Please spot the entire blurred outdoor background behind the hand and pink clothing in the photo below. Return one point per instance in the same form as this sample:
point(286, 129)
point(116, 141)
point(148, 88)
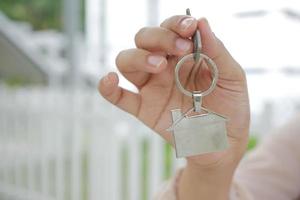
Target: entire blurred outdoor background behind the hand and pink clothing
point(60, 140)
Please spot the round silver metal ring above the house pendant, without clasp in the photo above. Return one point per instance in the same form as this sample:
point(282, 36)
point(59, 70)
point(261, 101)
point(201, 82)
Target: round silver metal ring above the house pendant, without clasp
point(210, 63)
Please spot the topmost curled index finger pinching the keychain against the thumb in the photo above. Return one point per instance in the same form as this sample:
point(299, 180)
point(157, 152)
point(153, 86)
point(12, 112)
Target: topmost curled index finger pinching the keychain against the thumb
point(183, 25)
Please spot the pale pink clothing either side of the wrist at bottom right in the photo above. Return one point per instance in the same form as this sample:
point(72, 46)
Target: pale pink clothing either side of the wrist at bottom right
point(272, 171)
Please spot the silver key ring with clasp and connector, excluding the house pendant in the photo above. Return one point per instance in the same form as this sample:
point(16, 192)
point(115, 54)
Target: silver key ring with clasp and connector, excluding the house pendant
point(197, 55)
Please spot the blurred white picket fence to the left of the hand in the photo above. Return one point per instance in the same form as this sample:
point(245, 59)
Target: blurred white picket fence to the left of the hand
point(59, 145)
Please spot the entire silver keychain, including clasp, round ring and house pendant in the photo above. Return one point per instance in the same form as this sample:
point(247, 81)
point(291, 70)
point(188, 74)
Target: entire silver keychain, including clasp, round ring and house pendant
point(204, 132)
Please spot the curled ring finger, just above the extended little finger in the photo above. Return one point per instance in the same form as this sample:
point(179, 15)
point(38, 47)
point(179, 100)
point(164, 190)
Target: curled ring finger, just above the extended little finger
point(136, 64)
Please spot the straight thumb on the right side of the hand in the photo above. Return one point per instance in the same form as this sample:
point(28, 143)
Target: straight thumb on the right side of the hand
point(215, 49)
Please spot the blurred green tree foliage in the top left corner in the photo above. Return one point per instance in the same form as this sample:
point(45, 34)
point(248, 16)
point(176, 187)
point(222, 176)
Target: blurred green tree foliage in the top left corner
point(42, 14)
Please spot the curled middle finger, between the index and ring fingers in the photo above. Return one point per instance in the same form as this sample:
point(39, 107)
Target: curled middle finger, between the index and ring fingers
point(162, 39)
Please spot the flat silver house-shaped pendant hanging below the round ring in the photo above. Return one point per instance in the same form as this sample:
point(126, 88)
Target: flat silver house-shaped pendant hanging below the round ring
point(199, 134)
